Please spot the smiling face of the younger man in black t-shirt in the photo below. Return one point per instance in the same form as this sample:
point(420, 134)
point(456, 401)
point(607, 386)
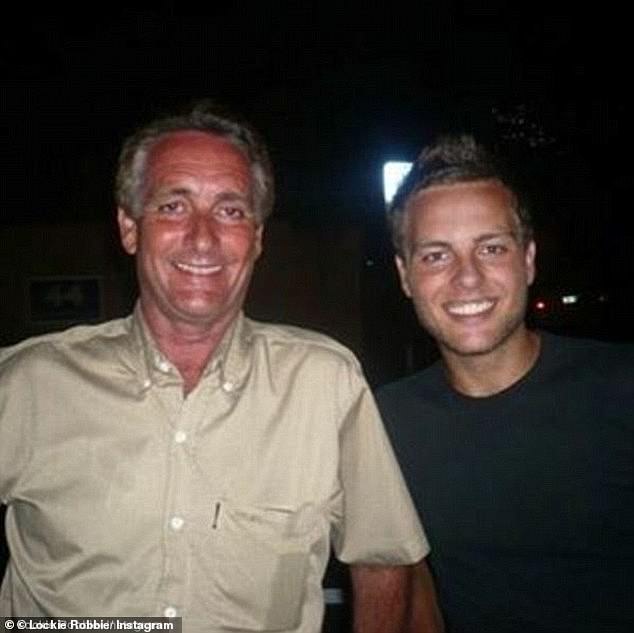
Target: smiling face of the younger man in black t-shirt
point(465, 267)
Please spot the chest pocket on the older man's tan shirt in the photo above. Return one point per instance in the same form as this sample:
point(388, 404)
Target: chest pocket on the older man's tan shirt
point(262, 566)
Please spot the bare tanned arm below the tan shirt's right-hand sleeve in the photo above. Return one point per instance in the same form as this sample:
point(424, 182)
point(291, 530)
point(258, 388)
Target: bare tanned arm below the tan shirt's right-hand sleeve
point(394, 599)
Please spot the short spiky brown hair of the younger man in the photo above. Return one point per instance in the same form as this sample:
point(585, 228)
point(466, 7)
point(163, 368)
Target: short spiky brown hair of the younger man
point(452, 160)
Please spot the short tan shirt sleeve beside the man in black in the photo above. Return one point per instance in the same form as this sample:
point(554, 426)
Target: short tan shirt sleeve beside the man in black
point(379, 524)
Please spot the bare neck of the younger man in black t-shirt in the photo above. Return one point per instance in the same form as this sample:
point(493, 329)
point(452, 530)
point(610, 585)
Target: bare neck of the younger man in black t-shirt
point(484, 375)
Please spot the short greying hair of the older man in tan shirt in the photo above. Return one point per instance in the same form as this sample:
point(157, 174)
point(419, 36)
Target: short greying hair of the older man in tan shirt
point(204, 116)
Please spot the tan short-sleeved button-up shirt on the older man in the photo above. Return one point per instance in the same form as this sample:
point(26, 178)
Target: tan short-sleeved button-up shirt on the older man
point(126, 498)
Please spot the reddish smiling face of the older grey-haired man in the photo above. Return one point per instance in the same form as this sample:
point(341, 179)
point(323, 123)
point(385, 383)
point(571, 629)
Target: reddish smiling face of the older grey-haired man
point(198, 237)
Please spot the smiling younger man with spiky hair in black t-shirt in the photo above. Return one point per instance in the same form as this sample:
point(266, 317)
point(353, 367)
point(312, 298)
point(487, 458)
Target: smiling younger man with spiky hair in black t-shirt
point(518, 445)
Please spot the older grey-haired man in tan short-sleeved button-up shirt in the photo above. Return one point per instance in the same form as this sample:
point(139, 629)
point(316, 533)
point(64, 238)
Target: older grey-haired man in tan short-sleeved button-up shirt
point(187, 461)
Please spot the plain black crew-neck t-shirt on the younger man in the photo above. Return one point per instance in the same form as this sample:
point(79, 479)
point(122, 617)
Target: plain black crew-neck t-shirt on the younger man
point(527, 496)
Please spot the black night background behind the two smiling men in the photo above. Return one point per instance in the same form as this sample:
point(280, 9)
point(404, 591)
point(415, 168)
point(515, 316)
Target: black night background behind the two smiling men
point(336, 92)
